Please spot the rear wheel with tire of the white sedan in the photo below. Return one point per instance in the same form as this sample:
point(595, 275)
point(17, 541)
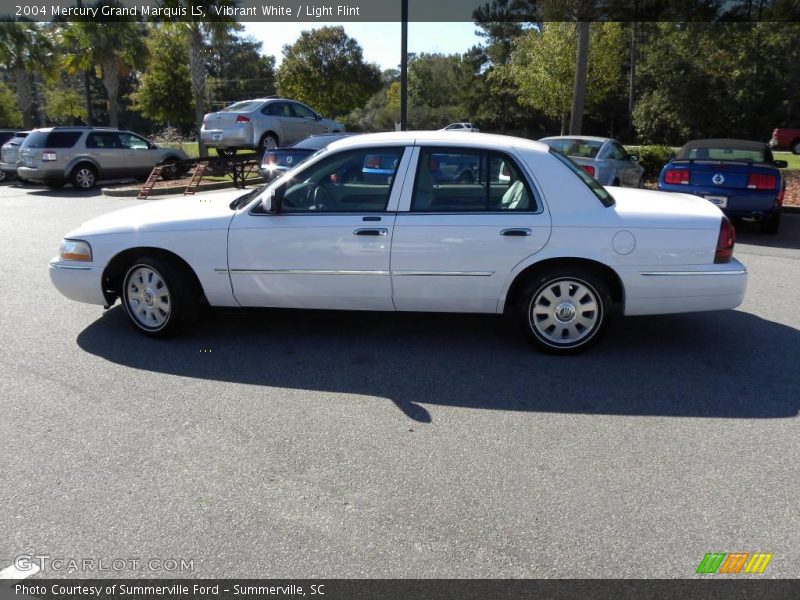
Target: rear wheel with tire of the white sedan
point(565, 311)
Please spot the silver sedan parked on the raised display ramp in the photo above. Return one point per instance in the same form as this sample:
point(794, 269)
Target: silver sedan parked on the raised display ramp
point(263, 124)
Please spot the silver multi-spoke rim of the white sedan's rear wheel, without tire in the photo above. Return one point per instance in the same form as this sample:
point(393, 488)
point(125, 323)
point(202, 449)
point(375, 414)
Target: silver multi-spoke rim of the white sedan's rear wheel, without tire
point(565, 312)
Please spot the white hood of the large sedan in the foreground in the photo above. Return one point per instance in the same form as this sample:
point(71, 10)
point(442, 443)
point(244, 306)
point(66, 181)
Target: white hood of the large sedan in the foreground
point(210, 211)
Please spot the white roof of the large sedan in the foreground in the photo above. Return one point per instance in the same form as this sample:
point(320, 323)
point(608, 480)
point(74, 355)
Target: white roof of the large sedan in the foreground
point(445, 138)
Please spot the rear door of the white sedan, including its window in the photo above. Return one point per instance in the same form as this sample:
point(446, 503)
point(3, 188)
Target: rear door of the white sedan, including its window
point(455, 242)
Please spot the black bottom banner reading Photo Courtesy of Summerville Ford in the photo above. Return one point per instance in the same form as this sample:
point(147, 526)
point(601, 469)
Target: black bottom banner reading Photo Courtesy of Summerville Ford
point(400, 589)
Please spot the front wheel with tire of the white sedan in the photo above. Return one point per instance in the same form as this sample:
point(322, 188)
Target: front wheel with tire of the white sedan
point(159, 318)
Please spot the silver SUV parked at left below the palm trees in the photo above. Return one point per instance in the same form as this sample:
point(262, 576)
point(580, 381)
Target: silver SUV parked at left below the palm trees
point(83, 155)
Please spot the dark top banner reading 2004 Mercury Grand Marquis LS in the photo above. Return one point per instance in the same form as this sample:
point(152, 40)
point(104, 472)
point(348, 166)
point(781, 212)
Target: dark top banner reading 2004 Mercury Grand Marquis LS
point(322, 11)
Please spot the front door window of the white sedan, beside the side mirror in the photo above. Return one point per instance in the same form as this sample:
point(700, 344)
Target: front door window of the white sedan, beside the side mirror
point(351, 181)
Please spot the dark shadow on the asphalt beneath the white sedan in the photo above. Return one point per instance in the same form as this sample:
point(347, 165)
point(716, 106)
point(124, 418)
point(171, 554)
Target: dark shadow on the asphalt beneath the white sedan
point(727, 364)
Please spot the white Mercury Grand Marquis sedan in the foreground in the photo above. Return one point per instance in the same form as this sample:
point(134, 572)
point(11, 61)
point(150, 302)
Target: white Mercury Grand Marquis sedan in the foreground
point(380, 222)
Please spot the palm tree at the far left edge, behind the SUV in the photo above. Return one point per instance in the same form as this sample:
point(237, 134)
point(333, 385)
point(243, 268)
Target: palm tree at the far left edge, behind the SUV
point(25, 49)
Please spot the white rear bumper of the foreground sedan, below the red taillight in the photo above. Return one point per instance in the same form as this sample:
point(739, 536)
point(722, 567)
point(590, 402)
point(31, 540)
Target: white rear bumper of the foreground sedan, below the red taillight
point(694, 288)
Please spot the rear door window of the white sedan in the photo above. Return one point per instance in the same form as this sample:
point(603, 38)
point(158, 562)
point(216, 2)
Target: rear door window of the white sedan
point(469, 181)
